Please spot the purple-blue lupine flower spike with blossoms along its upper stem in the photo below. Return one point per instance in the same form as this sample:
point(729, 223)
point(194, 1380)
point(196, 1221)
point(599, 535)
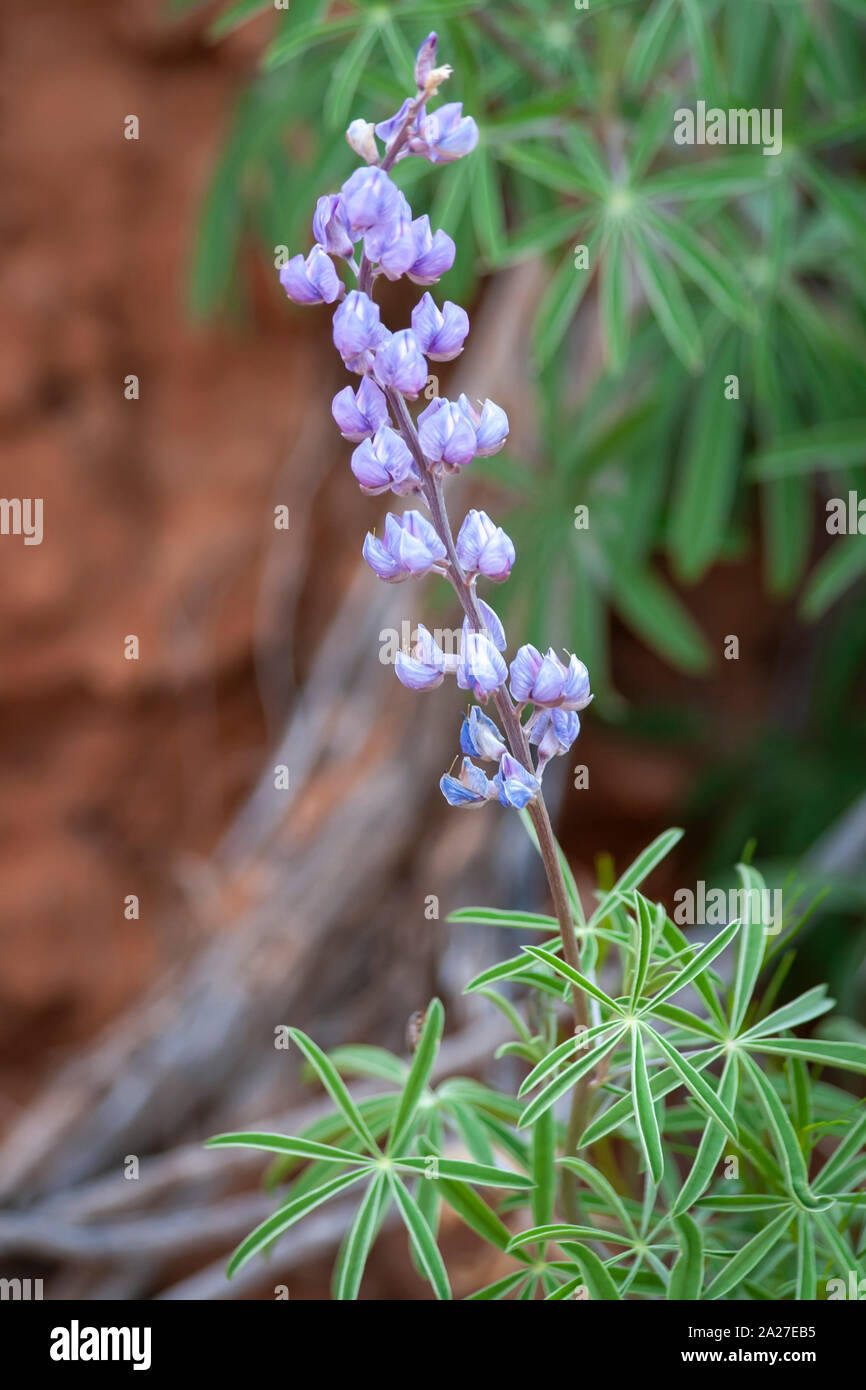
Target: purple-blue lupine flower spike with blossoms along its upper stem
point(369, 227)
